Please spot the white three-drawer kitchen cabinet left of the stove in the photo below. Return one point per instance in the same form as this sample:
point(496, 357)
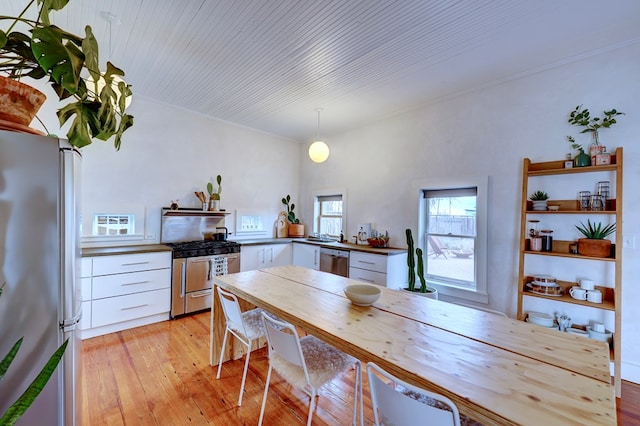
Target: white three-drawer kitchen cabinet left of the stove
point(127, 290)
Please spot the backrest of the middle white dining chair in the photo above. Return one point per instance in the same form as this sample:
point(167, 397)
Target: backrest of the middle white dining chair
point(283, 341)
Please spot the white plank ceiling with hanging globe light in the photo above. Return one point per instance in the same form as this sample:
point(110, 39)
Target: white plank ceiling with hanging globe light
point(267, 64)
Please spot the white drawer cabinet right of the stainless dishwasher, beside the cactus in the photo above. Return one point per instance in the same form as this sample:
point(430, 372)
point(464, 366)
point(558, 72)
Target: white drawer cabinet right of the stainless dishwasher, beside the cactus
point(381, 269)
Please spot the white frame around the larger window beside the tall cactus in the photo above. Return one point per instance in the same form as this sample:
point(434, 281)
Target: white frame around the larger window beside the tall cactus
point(480, 293)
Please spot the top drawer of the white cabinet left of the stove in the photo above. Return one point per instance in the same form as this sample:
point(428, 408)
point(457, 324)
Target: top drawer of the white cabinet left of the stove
point(105, 265)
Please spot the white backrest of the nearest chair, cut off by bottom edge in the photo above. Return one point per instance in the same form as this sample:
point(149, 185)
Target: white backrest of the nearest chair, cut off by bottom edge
point(392, 404)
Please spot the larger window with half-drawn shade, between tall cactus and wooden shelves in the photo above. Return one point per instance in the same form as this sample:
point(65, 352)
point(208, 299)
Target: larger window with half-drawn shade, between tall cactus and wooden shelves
point(452, 234)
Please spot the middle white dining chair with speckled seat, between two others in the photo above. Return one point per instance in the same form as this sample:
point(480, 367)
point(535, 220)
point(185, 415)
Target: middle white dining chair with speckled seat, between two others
point(306, 363)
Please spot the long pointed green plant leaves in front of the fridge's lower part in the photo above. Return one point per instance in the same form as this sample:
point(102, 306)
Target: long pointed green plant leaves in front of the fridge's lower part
point(18, 408)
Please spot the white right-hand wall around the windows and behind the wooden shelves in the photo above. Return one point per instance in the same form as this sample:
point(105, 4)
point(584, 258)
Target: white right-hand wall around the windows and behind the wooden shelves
point(489, 132)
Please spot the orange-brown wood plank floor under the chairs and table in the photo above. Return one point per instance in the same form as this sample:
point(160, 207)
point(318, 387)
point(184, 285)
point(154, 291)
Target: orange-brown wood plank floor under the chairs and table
point(160, 375)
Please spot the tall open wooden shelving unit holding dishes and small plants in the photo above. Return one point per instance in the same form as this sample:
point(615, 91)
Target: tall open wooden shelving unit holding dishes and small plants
point(611, 291)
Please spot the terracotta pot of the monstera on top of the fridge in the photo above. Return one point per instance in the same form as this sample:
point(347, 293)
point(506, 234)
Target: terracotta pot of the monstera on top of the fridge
point(19, 102)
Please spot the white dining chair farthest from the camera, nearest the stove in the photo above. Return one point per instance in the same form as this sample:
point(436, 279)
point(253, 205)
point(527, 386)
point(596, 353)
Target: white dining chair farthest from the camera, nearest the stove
point(246, 326)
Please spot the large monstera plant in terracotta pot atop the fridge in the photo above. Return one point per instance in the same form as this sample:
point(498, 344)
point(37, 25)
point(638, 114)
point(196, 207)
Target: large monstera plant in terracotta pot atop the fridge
point(94, 99)
